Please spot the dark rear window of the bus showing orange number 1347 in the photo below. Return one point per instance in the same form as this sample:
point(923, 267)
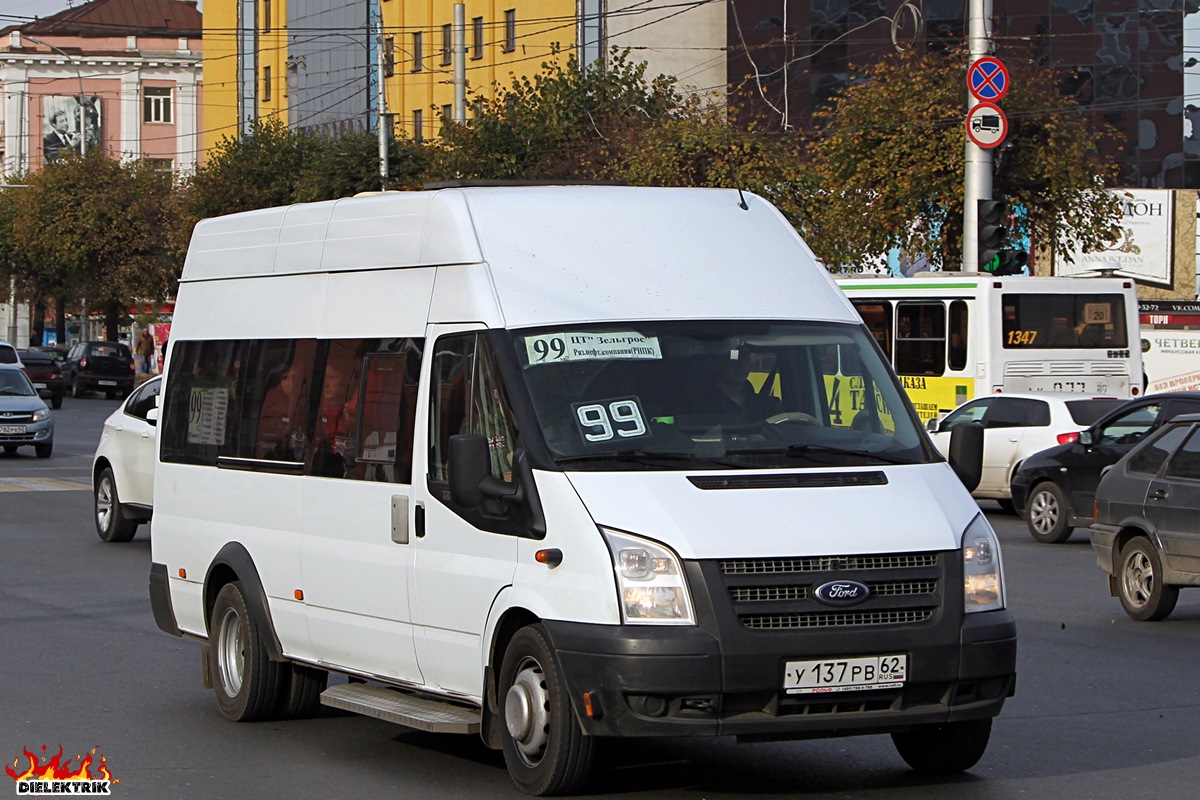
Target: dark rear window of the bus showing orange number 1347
point(1042, 322)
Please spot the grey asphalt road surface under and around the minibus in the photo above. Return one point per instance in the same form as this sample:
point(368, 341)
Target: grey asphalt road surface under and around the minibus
point(1105, 707)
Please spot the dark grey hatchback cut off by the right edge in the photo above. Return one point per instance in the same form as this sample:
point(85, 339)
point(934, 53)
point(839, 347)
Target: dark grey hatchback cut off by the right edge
point(1147, 534)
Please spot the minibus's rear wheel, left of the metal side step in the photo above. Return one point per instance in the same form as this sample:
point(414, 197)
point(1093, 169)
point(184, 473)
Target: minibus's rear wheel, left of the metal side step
point(245, 681)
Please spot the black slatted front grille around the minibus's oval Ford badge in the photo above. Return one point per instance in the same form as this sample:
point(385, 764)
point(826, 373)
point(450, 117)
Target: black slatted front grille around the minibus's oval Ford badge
point(779, 594)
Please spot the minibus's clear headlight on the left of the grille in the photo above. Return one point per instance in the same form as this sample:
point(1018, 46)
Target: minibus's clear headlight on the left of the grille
point(650, 582)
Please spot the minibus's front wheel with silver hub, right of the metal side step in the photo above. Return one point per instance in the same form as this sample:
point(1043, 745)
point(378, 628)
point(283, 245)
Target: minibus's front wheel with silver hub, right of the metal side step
point(544, 747)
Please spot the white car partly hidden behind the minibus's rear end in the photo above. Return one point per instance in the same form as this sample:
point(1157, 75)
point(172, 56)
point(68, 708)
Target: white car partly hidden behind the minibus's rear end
point(123, 468)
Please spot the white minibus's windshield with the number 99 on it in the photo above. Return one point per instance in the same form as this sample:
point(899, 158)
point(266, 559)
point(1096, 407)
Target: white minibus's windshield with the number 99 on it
point(717, 395)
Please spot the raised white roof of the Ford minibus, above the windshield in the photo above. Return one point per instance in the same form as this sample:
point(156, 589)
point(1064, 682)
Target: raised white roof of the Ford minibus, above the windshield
point(554, 252)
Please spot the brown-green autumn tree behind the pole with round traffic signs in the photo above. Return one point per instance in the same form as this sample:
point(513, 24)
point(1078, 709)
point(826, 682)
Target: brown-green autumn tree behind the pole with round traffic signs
point(890, 161)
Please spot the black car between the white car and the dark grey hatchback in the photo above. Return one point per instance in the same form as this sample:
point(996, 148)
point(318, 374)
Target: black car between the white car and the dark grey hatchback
point(1055, 488)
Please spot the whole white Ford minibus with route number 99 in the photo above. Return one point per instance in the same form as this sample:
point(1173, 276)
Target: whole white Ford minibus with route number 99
point(549, 465)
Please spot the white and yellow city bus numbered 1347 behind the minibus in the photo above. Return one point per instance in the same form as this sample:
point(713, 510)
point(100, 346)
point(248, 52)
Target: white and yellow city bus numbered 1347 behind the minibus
point(955, 336)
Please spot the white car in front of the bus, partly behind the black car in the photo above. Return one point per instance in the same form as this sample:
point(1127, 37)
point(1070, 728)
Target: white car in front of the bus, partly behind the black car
point(1016, 426)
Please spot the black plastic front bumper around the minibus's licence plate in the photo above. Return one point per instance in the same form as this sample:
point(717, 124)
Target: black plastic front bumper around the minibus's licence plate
point(719, 678)
